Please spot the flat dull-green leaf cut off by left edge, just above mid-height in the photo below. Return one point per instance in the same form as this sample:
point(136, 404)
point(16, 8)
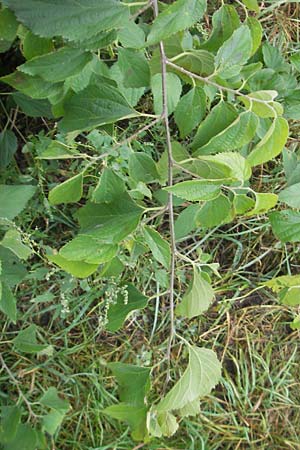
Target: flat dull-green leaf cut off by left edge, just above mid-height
point(13, 199)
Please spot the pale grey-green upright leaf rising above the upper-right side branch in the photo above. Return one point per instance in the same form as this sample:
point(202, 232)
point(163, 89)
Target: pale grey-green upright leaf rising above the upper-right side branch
point(234, 53)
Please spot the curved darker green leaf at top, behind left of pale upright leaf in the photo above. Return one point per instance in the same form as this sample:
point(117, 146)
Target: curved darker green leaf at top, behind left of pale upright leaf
point(224, 22)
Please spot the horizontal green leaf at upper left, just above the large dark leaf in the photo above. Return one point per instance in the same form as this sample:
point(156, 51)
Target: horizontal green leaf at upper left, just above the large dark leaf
point(57, 66)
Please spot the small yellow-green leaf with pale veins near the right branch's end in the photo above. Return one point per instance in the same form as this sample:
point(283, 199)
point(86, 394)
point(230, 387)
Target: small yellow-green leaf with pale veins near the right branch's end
point(265, 106)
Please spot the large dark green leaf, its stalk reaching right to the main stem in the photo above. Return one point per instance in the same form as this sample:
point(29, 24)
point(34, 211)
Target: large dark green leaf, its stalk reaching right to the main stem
point(93, 106)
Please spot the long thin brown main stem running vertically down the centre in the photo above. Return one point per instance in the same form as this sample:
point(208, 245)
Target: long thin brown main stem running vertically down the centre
point(170, 196)
